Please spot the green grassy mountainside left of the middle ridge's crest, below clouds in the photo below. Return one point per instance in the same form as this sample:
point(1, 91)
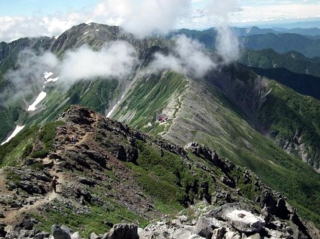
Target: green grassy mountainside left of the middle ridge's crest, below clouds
point(148, 98)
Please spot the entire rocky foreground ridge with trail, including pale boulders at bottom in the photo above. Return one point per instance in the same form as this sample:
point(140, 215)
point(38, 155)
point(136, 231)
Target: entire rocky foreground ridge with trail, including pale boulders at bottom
point(82, 175)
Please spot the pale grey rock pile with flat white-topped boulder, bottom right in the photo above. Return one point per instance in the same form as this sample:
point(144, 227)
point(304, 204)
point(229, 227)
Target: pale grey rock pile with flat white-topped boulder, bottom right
point(230, 221)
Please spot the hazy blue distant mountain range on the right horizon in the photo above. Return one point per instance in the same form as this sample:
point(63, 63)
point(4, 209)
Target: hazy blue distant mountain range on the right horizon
point(304, 41)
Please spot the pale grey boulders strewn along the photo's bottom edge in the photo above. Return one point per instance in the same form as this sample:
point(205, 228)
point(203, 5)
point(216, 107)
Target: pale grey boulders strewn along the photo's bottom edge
point(230, 221)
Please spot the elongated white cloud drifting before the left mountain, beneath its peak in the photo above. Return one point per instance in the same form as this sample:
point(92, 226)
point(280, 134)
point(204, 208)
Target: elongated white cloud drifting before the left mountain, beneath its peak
point(115, 60)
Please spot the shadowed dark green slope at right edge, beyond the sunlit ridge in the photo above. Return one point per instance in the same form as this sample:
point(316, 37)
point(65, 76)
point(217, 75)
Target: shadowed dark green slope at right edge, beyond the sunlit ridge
point(293, 114)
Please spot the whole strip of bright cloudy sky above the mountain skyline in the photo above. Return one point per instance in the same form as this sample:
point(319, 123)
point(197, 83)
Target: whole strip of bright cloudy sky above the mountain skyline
point(28, 18)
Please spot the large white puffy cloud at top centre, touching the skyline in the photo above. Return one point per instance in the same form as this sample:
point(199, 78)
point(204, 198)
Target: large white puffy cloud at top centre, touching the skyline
point(143, 17)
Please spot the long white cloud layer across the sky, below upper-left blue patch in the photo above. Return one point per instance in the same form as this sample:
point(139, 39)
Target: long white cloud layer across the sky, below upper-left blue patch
point(145, 16)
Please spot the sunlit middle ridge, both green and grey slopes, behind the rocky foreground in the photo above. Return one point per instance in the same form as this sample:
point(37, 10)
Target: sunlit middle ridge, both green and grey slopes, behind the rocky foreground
point(201, 112)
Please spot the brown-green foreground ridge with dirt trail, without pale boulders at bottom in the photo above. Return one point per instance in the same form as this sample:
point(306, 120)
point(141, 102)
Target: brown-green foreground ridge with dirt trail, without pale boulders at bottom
point(83, 143)
